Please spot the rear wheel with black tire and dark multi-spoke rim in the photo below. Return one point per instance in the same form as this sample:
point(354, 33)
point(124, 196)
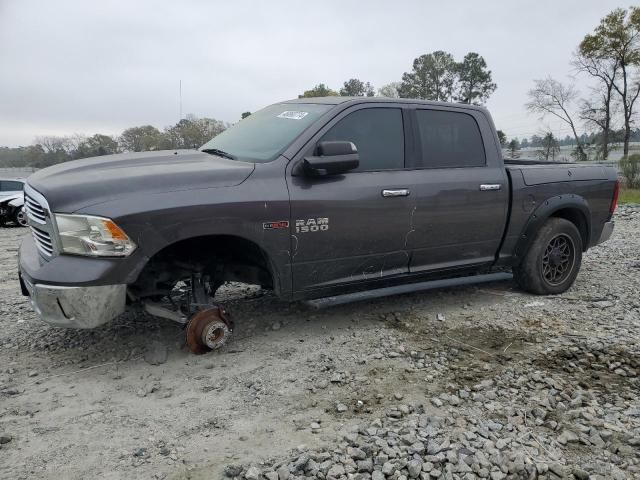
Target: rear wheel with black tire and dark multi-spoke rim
point(553, 259)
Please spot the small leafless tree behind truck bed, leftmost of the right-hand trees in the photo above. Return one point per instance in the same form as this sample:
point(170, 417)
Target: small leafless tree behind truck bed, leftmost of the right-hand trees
point(550, 97)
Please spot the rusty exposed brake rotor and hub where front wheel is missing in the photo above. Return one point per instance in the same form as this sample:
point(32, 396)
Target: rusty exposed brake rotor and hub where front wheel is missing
point(207, 330)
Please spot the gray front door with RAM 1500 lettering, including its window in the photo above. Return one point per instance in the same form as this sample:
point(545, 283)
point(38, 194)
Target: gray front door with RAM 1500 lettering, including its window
point(344, 230)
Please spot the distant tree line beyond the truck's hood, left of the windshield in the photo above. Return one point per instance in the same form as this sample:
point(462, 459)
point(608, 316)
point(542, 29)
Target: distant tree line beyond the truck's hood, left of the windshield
point(189, 132)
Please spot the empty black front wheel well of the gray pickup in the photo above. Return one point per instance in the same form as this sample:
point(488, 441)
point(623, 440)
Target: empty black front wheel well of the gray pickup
point(222, 257)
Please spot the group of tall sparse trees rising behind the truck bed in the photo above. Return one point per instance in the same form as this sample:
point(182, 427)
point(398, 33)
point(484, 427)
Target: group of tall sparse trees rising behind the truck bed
point(609, 56)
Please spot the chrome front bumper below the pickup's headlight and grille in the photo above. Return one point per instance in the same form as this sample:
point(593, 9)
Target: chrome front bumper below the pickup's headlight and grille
point(76, 307)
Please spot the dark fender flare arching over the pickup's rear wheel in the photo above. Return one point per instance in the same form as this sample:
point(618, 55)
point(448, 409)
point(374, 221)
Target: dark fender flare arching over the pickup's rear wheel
point(548, 208)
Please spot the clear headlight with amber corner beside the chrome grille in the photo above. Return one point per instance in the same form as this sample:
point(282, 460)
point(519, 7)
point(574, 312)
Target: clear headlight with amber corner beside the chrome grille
point(92, 236)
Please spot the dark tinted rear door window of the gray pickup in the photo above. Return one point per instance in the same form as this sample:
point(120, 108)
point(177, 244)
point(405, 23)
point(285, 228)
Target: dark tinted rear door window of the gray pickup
point(449, 140)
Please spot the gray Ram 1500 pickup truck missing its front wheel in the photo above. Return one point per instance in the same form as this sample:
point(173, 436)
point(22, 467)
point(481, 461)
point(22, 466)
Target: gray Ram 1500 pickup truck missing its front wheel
point(314, 198)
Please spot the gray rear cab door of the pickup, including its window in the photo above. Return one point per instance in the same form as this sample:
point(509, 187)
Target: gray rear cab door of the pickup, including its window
point(459, 187)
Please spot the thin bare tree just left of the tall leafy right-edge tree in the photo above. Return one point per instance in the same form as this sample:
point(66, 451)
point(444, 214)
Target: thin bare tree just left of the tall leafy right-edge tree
point(599, 111)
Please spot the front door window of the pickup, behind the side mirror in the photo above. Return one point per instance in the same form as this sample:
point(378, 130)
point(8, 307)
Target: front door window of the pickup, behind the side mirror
point(378, 134)
